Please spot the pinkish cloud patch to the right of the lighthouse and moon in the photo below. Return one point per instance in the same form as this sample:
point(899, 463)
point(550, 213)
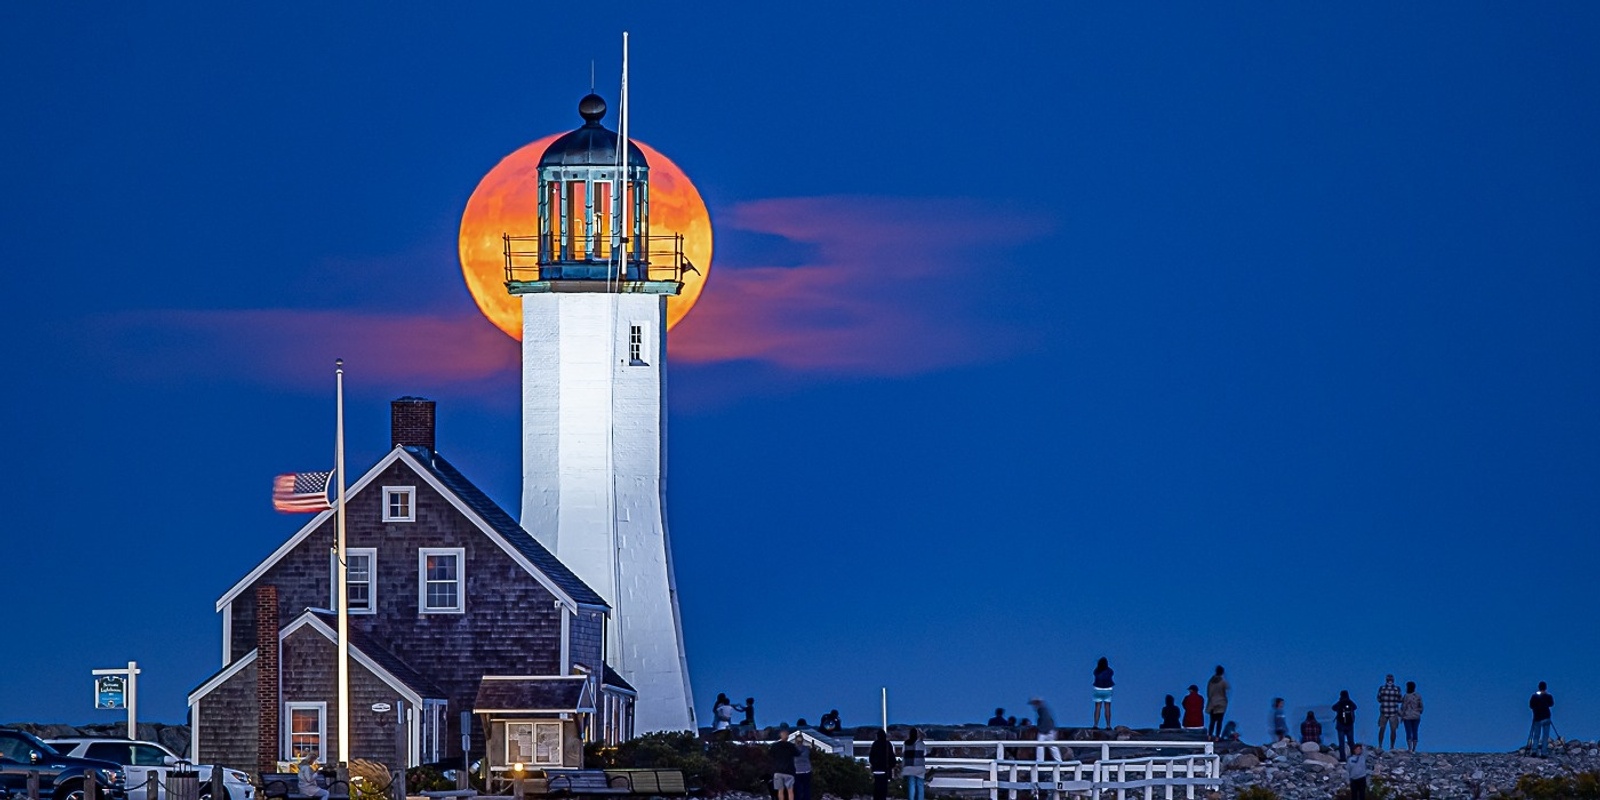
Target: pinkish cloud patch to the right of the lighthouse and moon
point(897, 287)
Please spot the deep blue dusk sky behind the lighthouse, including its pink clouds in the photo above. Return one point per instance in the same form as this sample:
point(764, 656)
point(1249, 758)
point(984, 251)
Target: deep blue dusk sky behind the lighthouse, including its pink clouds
point(1249, 335)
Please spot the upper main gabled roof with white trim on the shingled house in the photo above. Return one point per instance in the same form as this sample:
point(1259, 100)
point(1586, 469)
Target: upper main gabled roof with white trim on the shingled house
point(494, 521)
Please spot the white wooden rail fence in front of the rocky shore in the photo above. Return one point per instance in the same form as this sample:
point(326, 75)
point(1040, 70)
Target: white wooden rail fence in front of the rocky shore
point(1017, 767)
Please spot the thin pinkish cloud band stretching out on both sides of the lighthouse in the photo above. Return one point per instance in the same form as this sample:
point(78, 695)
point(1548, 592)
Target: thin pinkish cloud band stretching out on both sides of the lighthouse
point(889, 287)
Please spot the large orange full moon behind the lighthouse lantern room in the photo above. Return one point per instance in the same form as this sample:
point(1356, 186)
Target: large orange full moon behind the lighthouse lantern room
point(508, 202)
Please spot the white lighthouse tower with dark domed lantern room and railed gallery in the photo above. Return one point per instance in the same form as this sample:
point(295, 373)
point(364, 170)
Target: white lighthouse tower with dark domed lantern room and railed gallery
point(594, 289)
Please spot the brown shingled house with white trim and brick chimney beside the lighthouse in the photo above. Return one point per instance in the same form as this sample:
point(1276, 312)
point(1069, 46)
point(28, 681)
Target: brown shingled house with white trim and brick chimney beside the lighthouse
point(452, 609)
